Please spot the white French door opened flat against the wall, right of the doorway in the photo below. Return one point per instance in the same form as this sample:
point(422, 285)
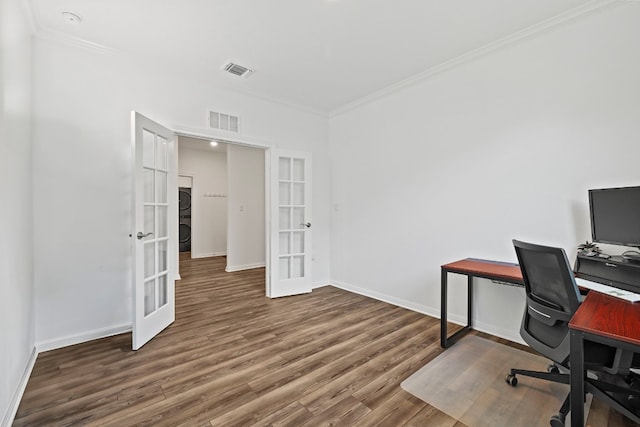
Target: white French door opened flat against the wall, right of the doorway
point(290, 243)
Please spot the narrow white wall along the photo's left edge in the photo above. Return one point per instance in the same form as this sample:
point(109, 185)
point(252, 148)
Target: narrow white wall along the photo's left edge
point(16, 237)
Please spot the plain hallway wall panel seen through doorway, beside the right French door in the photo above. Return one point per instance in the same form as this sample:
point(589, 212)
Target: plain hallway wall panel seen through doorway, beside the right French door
point(246, 235)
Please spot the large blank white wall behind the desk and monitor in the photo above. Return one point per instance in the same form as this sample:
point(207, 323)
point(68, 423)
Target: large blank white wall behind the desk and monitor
point(499, 148)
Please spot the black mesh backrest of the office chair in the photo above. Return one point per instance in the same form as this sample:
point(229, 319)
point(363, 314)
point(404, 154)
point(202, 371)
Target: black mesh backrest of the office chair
point(552, 298)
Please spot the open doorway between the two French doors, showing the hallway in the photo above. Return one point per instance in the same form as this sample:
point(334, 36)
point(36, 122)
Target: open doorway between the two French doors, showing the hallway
point(225, 186)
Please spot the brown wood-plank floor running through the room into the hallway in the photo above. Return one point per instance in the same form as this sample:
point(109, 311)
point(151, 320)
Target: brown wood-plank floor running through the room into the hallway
point(236, 358)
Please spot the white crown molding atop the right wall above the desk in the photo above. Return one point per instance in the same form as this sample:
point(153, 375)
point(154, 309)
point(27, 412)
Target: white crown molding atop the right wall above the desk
point(469, 56)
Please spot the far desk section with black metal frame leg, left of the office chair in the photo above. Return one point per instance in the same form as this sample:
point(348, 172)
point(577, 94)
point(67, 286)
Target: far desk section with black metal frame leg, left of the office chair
point(472, 267)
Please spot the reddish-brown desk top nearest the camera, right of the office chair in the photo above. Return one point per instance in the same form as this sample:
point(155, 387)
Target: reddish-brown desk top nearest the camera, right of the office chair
point(608, 316)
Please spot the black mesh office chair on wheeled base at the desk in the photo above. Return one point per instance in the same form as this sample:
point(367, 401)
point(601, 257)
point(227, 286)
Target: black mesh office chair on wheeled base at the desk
point(552, 297)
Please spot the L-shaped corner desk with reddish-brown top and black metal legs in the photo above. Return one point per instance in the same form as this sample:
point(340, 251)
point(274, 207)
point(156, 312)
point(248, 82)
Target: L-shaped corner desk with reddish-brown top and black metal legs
point(599, 318)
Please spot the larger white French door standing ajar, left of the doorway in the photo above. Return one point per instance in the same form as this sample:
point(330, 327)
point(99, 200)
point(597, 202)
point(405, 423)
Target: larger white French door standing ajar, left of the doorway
point(154, 235)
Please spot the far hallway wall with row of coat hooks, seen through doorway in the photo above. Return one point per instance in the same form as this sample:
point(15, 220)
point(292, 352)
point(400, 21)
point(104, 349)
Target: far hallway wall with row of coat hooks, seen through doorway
point(208, 200)
